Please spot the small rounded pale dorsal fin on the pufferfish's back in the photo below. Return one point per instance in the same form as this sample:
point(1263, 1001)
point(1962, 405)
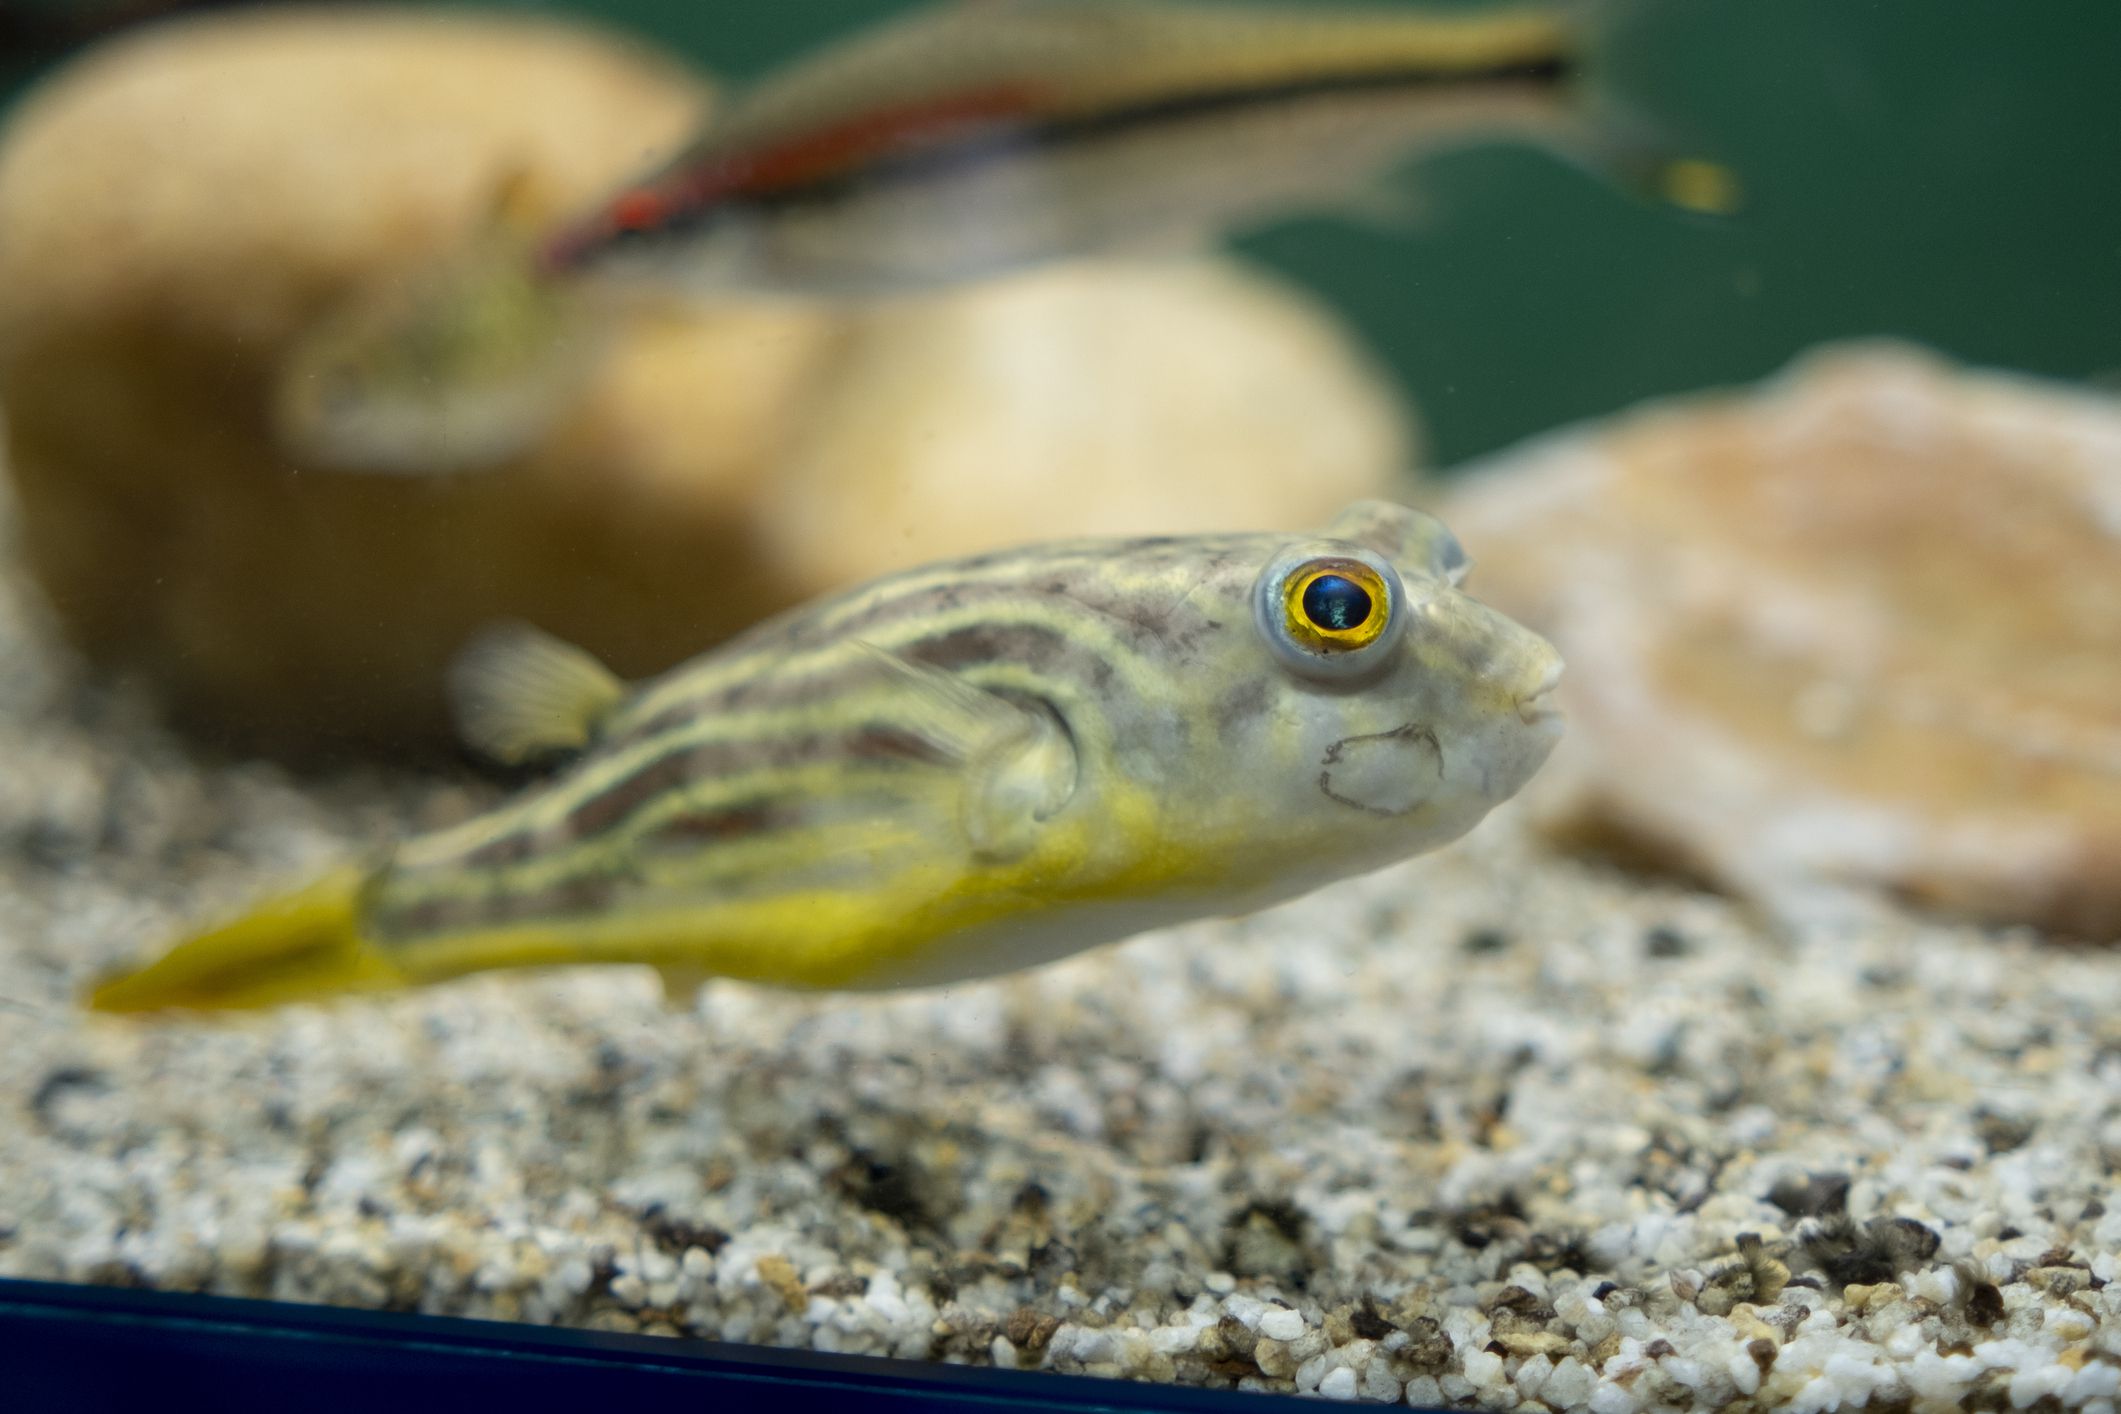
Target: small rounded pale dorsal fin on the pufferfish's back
point(521, 694)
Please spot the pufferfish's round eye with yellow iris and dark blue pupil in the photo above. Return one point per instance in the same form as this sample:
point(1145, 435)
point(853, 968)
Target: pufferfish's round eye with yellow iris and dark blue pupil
point(1331, 616)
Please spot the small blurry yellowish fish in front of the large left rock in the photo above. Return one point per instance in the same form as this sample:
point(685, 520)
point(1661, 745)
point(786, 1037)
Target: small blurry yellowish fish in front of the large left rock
point(449, 368)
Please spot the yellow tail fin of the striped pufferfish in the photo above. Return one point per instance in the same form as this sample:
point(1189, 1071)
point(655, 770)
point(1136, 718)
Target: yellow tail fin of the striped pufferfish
point(300, 947)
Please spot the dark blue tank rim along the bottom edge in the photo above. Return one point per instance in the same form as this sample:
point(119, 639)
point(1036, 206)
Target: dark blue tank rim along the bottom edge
point(77, 1347)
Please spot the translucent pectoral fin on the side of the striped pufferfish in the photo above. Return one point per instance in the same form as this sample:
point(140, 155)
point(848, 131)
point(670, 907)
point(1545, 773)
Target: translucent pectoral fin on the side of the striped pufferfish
point(1017, 764)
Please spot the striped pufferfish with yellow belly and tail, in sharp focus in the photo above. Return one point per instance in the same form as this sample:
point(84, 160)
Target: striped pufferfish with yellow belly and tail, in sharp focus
point(947, 775)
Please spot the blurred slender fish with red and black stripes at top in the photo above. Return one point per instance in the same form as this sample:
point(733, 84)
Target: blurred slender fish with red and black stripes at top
point(975, 139)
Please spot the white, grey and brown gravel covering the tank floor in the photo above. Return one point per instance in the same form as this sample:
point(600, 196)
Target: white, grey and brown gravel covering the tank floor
point(1494, 1129)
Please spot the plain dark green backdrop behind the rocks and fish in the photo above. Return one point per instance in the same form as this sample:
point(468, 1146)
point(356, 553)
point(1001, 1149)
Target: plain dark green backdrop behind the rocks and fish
point(1944, 171)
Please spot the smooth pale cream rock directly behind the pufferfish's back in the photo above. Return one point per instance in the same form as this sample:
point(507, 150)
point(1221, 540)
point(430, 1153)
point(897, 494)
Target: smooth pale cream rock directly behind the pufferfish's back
point(1085, 400)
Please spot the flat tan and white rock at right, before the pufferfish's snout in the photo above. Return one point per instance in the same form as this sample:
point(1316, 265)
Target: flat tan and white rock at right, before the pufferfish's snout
point(1853, 635)
